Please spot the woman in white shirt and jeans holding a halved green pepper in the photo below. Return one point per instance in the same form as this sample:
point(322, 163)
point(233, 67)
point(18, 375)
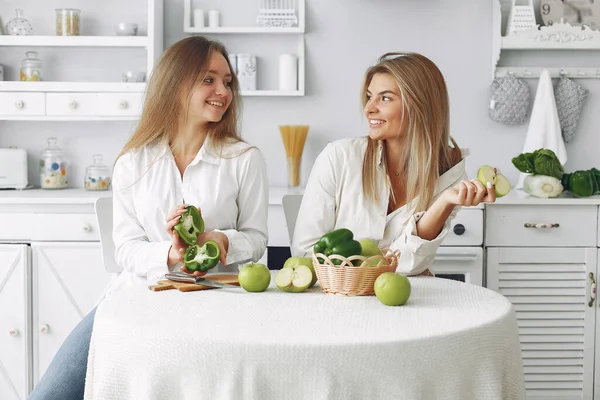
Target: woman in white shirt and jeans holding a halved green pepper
point(185, 150)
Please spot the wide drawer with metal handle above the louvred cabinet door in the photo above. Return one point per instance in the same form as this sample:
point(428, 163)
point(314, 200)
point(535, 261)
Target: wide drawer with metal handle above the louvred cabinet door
point(522, 225)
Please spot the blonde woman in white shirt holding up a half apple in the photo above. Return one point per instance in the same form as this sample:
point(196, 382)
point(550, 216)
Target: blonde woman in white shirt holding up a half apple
point(403, 183)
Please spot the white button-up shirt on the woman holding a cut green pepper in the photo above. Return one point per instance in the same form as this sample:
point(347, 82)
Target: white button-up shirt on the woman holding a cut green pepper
point(231, 192)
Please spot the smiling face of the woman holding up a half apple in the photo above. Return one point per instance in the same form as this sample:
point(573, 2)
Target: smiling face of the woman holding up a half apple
point(384, 109)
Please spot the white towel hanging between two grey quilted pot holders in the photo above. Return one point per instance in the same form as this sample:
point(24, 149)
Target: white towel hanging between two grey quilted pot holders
point(544, 127)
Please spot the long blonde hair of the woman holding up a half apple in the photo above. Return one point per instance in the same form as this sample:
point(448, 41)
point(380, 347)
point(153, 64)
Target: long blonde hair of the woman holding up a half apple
point(428, 153)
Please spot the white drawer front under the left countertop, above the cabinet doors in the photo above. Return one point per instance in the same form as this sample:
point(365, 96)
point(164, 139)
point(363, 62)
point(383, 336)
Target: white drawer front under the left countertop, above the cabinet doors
point(48, 227)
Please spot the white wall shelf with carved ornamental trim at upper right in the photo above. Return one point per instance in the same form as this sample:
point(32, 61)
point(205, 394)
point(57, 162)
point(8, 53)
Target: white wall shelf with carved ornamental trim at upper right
point(559, 36)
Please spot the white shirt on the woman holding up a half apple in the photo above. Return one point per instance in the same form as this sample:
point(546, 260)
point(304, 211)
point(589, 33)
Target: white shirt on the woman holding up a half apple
point(334, 199)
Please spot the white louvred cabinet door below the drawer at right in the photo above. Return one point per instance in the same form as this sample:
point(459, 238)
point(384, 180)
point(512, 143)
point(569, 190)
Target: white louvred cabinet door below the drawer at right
point(550, 289)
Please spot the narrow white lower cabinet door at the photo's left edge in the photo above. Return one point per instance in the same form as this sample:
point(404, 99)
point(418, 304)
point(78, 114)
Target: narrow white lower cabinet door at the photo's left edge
point(14, 317)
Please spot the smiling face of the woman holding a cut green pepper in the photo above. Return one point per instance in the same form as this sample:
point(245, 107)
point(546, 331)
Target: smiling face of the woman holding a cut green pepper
point(212, 94)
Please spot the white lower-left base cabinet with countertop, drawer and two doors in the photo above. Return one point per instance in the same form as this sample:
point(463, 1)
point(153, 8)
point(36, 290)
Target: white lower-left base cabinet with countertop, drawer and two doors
point(51, 276)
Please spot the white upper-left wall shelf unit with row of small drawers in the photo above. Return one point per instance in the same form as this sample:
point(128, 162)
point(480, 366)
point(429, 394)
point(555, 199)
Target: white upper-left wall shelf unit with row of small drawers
point(84, 100)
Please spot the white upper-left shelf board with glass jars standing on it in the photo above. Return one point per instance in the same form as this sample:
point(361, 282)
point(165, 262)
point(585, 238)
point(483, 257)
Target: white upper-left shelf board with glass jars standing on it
point(74, 41)
